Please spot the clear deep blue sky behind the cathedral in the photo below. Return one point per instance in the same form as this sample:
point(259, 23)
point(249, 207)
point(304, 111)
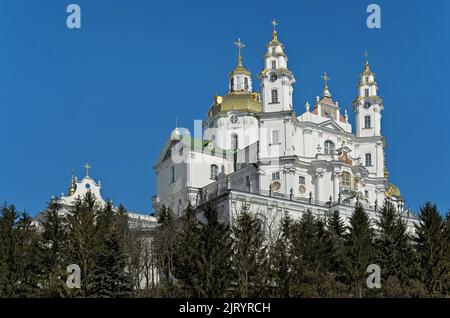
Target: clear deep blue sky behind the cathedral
point(108, 94)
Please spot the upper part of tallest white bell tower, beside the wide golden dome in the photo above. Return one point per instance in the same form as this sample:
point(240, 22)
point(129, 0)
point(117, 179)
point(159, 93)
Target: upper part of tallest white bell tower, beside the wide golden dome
point(276, 79)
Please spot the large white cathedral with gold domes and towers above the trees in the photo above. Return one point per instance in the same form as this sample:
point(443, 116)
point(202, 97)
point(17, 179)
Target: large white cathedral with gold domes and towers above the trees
point(255, 151)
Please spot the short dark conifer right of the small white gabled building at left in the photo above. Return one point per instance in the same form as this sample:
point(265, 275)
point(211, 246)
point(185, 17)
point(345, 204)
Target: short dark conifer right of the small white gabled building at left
point(110, 278)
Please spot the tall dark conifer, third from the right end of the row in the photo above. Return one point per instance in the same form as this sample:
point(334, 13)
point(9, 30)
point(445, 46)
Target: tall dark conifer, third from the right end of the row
point(360, 251)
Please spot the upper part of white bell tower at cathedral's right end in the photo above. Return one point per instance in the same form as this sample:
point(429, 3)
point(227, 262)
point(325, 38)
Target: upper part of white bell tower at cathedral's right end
point(367, 105)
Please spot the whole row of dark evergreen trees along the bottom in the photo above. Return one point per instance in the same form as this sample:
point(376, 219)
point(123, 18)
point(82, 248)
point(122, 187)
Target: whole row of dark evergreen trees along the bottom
point(199, 255)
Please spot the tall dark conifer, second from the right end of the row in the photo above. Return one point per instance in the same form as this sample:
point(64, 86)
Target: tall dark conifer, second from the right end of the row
point(395, 254)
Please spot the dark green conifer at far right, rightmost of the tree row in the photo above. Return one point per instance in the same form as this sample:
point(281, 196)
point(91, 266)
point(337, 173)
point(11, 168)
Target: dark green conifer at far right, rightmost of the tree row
point(431, 249)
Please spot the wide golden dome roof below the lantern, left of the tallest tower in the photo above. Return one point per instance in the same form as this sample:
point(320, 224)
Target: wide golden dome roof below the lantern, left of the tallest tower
point(239, 101)
